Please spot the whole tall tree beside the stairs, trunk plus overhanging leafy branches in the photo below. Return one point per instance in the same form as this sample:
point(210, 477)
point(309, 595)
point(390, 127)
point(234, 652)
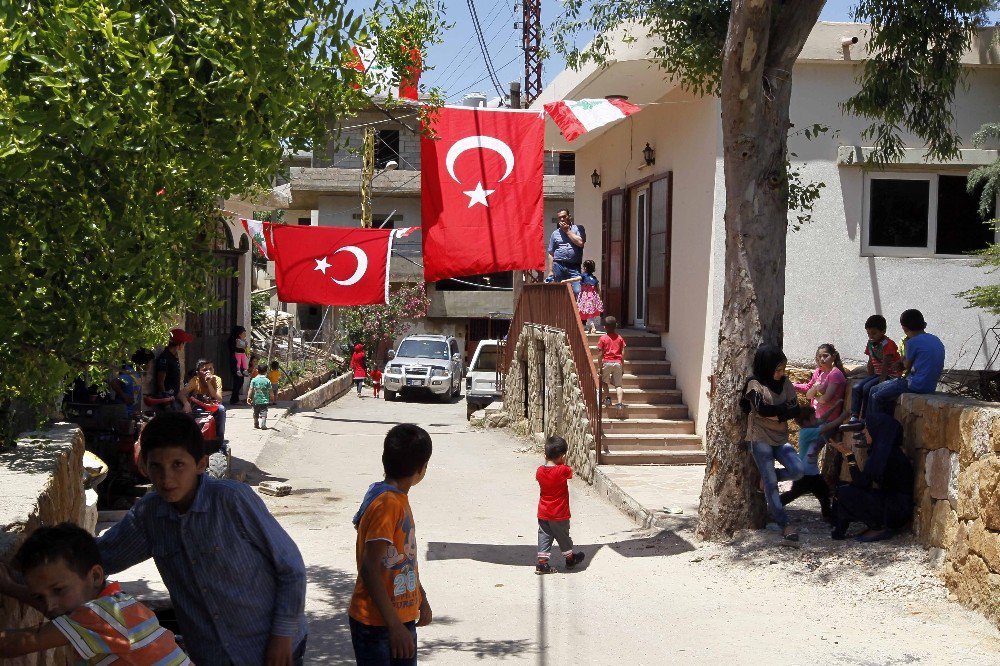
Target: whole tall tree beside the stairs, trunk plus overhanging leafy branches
point(744, 51)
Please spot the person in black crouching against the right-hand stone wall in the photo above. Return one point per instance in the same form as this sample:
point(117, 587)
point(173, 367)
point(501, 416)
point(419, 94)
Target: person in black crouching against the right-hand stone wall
point(880, 495)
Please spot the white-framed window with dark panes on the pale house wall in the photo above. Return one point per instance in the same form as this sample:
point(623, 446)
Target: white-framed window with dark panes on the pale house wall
point(922, 215)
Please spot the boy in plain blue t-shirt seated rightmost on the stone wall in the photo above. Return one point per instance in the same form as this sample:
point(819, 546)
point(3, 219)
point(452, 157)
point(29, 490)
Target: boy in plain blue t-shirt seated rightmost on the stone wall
point(923, 364)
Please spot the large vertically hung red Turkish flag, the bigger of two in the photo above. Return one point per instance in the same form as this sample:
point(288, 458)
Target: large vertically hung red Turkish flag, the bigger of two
point(481, 192)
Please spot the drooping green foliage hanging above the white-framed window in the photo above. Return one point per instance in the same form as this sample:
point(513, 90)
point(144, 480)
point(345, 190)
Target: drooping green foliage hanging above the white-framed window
point(913, 67)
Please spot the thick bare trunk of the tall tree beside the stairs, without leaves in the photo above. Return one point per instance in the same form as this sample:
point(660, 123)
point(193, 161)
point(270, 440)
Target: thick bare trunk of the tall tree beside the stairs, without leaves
point(764, 39)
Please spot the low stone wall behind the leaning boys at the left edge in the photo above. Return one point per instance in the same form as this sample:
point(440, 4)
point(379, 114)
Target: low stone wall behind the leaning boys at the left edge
point(41, 483)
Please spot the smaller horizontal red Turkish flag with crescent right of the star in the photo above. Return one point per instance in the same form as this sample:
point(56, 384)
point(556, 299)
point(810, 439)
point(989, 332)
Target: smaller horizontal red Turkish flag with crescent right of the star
point(331, 265)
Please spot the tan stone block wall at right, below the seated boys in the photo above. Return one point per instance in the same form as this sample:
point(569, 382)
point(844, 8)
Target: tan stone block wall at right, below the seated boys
point(954, 443)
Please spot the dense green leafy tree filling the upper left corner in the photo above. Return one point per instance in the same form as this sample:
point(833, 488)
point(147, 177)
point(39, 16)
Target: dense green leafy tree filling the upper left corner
point(122, 122)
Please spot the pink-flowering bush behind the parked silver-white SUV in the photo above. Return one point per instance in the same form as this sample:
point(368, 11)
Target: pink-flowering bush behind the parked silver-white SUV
point(370, 324)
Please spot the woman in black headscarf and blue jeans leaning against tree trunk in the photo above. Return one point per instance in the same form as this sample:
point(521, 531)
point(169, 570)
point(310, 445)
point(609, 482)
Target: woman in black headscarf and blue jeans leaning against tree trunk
point(769, 400)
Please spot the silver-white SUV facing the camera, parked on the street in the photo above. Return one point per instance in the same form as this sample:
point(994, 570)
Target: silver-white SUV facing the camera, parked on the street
point(424, 363)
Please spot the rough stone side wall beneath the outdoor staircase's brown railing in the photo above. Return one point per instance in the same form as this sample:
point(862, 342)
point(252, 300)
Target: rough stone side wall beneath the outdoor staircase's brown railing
point(542, 395)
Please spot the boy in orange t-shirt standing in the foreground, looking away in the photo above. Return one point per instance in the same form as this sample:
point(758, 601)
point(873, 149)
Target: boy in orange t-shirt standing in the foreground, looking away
point(389, 602)
